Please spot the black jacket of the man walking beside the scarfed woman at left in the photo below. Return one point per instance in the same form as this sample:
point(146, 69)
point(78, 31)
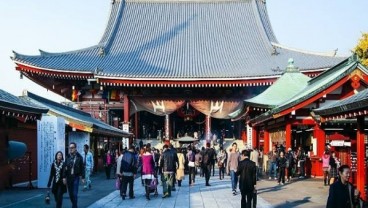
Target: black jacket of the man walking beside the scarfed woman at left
point(78, 166)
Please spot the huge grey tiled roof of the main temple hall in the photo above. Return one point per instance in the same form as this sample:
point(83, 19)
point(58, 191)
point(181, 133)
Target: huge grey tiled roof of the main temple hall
point(183, 40)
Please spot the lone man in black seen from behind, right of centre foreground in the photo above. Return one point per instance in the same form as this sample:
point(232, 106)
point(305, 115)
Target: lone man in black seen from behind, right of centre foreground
point(247, 181)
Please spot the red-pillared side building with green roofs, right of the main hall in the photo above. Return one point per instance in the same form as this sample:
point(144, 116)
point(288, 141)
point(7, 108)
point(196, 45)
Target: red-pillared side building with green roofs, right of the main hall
point(310, 116)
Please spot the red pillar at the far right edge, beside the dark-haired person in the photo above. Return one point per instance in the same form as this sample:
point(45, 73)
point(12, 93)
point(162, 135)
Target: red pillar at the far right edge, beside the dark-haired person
point(360, 157)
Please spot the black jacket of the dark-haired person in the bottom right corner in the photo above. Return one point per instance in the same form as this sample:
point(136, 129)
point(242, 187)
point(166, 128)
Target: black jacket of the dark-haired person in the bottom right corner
point(339, 196)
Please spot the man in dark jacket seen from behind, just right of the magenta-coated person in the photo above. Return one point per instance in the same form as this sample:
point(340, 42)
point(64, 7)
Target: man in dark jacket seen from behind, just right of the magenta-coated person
point(169, 163)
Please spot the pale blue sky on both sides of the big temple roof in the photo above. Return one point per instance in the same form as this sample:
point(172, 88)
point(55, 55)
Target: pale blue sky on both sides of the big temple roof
point(57, 26)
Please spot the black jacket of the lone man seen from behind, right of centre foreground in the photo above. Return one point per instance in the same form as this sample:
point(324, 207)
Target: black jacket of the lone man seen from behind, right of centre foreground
point(247, 172)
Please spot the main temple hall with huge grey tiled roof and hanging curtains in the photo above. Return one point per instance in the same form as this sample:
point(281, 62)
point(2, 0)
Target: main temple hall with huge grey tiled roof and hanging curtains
point(190, 62)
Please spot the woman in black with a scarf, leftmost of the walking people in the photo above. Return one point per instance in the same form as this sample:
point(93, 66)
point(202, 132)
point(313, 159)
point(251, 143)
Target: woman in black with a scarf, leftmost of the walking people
point(56, 177)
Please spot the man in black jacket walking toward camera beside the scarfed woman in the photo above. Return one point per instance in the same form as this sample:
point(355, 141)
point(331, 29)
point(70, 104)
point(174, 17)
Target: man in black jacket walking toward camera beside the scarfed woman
point(73, 171)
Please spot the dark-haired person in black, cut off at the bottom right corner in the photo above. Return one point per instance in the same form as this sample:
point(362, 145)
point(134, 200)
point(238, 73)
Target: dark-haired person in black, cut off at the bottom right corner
point(342, 193)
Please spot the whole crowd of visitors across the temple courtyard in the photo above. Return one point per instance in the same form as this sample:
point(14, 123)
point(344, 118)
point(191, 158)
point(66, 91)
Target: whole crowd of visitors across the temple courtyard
point(170, 165)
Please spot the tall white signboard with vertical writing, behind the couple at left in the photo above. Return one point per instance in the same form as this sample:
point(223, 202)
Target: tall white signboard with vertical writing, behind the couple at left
point(50, 139)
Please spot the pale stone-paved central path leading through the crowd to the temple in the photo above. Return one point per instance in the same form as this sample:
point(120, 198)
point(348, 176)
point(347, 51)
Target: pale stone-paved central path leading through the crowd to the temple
point(199, 196)
